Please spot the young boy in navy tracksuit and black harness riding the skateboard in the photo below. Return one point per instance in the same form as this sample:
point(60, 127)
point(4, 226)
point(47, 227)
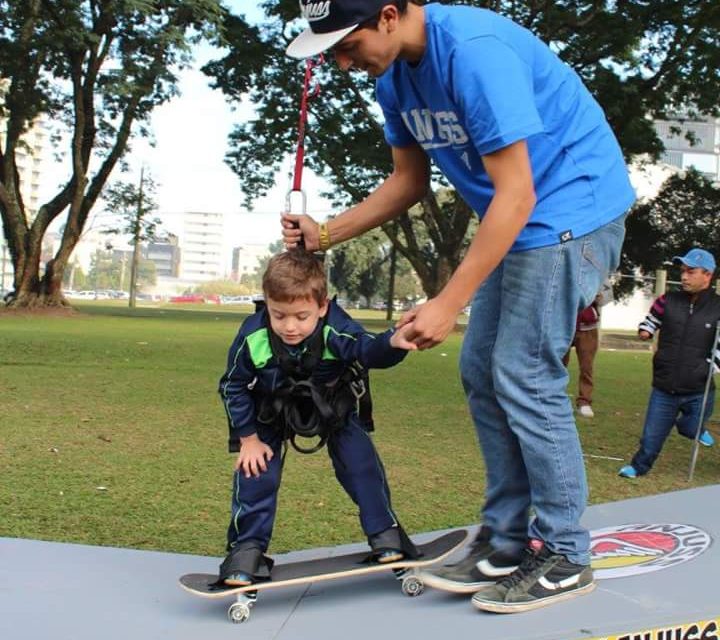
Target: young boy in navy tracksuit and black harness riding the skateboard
point(292, 371)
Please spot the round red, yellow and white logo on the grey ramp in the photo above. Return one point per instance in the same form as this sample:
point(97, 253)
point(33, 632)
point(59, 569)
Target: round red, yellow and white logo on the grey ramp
point(632, 549)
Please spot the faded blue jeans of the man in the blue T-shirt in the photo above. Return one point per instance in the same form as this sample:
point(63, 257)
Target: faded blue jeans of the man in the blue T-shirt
point(521, 325)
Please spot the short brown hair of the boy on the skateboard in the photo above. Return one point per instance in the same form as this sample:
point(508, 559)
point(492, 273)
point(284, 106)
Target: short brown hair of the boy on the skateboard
point(294, 274)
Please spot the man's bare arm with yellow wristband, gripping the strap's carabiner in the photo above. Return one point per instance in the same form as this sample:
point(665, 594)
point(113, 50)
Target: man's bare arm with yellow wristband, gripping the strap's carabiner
point(407, 184)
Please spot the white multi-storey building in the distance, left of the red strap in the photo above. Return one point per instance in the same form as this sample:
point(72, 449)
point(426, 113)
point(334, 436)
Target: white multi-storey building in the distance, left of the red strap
point(202, 244)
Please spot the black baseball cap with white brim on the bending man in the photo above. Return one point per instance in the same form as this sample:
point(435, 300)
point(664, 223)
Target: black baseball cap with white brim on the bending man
point(330, 21)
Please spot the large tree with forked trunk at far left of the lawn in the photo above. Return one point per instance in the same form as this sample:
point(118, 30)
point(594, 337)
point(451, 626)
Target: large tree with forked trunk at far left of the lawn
point(95, 69)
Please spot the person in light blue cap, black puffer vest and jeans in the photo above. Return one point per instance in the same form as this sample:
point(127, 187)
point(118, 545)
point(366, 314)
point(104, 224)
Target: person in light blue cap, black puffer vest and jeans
point(688, 319)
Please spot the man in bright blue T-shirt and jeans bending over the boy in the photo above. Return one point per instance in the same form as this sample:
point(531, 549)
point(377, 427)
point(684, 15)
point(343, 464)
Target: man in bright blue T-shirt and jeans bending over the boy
point(526, 145)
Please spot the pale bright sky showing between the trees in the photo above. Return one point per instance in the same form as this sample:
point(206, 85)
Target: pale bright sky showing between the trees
point(186, 162)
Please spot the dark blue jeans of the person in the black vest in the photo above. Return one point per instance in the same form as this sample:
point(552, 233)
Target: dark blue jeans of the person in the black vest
point(665, 410)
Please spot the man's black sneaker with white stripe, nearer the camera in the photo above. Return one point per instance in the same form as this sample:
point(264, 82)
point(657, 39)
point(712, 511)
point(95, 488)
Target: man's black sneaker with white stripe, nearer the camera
point(543, 578)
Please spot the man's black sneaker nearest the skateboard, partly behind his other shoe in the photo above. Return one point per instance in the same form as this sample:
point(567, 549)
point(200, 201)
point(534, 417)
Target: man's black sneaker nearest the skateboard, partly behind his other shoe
point(481, 568)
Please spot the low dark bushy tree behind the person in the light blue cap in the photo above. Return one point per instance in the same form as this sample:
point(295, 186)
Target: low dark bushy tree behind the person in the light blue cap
point(683, 215)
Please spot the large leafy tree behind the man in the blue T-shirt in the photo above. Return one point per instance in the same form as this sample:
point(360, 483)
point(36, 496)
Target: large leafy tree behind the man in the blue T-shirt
point(642, 59)
